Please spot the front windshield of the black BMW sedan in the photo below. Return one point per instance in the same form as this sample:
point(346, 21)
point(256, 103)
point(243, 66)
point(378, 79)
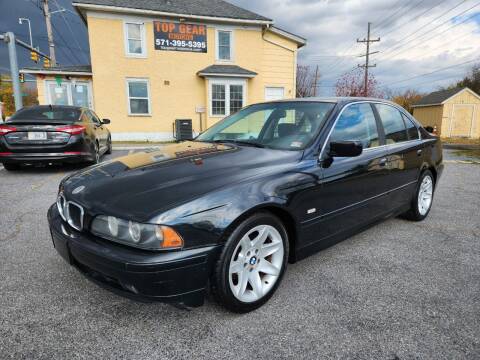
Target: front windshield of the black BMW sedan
point(282, 125)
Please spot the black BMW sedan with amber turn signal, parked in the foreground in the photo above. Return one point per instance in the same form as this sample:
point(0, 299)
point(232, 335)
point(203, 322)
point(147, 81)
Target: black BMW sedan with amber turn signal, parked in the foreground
point(269, 185)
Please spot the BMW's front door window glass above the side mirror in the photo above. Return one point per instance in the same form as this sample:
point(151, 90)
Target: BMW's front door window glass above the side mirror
point(357, 122)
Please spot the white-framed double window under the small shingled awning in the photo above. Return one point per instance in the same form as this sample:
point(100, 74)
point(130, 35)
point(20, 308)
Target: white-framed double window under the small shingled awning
point(226, 96)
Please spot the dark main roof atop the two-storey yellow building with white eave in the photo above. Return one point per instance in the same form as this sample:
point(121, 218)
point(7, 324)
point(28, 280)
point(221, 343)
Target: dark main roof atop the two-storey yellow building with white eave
point(185, 8)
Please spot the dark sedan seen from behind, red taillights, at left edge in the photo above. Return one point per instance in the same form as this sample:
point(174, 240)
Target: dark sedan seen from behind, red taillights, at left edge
point(53, 134)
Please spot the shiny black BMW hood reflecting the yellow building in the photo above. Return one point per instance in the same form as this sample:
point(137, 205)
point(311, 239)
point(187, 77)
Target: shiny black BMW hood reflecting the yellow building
point(142, 185)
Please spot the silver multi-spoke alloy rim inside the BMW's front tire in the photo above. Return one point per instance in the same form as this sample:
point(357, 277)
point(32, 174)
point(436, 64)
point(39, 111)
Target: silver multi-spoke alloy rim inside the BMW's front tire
point(256, 263)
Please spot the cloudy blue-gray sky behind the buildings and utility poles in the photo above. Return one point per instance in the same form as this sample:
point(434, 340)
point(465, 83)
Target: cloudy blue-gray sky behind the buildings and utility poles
point(418, 37)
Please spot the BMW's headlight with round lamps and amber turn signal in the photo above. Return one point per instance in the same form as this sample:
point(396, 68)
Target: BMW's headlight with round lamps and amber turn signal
point(145, 236)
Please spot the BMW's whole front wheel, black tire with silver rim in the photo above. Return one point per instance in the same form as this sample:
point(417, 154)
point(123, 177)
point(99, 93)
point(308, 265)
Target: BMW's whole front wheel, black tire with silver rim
point(259, 274)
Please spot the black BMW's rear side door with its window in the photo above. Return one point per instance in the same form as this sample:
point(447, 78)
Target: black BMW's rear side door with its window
point(405, 153)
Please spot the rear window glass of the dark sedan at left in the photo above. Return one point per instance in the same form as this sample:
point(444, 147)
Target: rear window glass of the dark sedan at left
point(47, 114)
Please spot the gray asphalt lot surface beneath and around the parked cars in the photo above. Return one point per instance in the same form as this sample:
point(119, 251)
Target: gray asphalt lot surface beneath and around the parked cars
point(400, 290)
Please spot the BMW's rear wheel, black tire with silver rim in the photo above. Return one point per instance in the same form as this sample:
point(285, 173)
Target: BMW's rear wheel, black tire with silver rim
point(420, 205)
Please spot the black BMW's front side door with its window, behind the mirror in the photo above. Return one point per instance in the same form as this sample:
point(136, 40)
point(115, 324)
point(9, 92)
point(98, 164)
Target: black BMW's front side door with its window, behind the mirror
point(352, 190)
